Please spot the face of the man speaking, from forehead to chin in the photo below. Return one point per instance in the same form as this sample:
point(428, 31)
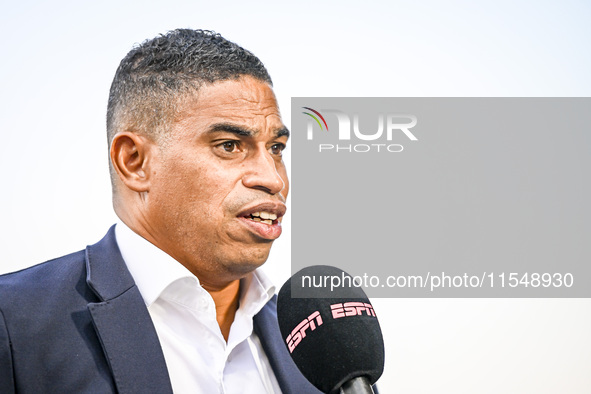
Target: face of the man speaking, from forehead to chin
point(218, 185)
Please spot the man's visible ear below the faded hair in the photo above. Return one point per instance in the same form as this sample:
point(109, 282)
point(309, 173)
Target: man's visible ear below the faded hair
point(131, 157)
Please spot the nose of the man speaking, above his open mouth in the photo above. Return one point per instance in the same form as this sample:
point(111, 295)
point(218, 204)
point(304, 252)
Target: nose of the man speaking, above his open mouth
point(262, 173)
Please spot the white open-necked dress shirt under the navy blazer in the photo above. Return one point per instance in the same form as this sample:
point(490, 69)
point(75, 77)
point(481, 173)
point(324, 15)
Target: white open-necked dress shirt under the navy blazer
point(197, 356)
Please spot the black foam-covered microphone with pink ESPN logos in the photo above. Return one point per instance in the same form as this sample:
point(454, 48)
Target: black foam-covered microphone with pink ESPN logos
point(334, 338)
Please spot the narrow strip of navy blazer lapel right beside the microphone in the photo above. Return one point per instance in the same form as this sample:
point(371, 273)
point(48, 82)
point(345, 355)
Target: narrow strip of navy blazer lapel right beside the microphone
point(288, 375)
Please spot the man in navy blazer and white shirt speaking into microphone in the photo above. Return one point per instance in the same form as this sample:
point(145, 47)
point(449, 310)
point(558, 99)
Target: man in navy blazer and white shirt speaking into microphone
point(171, 298)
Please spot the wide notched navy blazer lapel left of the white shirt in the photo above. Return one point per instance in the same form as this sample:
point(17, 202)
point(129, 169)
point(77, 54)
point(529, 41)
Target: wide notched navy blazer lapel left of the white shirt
point(122, 322)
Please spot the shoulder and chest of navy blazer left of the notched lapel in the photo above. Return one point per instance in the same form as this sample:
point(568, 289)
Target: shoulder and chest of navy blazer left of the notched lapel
point(46, 328)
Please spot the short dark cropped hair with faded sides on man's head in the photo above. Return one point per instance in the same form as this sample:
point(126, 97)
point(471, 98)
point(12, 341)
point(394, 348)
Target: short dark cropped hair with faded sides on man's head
point(155, 75)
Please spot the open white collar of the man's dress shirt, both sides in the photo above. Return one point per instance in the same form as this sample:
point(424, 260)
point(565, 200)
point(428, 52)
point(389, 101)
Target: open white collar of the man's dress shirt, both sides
point(153, 270)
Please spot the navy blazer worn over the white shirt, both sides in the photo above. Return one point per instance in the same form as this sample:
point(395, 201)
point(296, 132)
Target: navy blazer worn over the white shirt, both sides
point(79, 324)
